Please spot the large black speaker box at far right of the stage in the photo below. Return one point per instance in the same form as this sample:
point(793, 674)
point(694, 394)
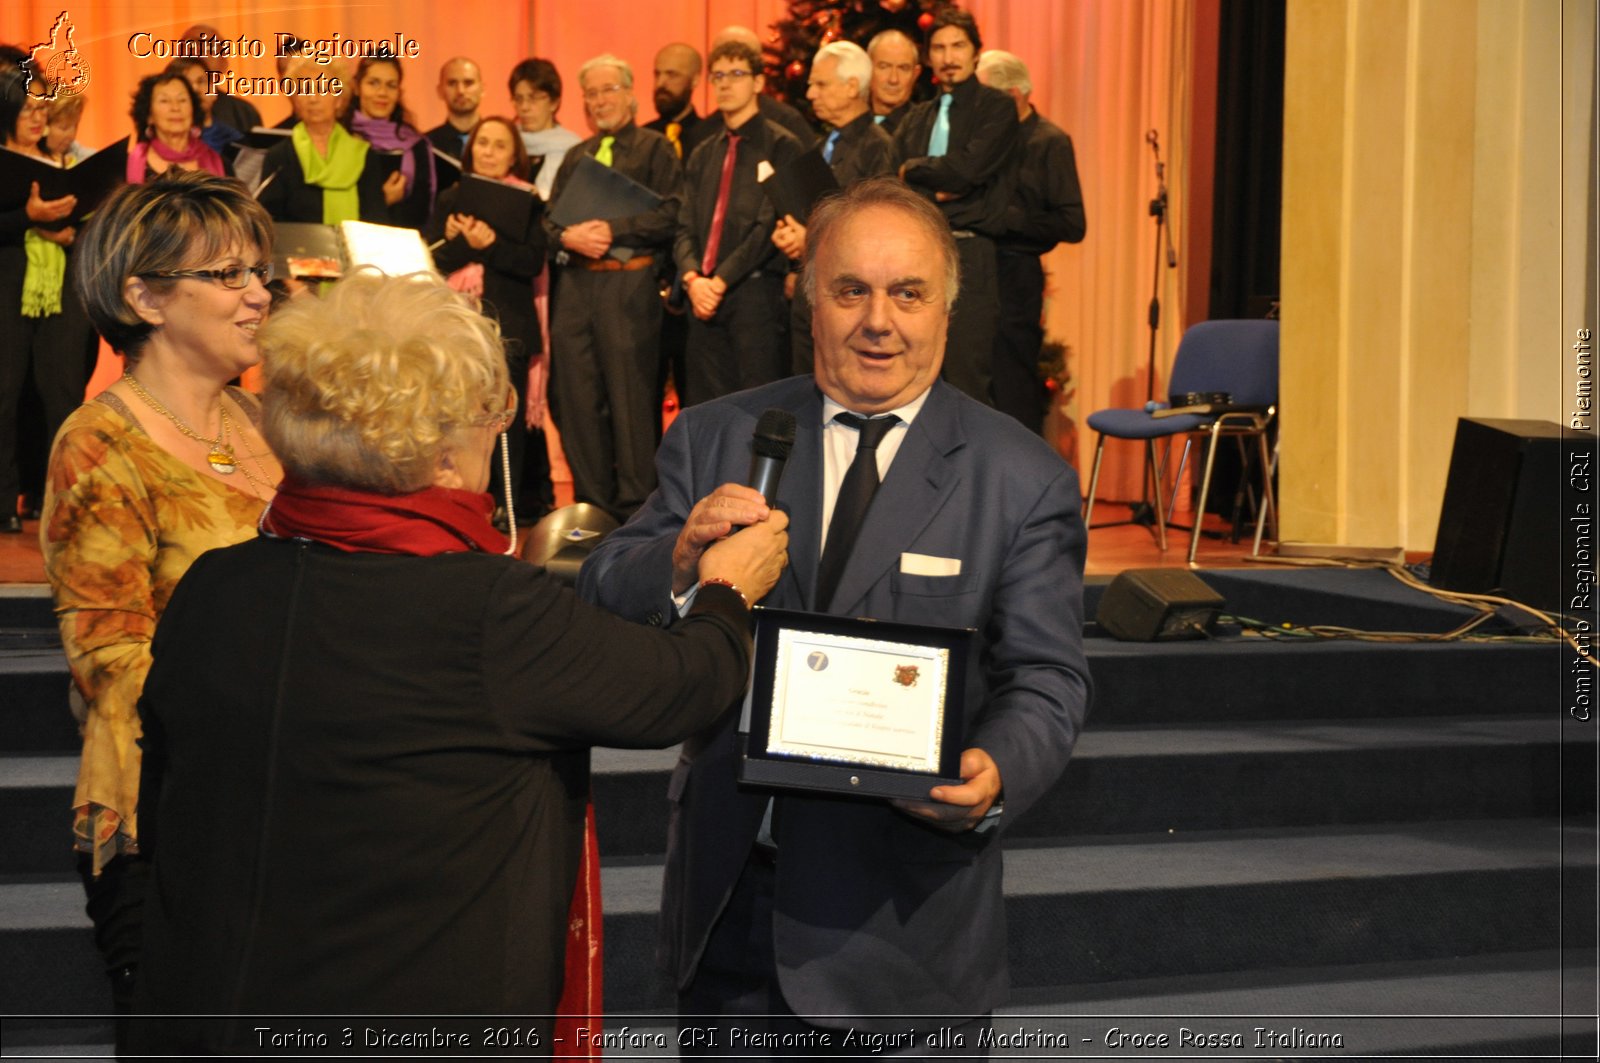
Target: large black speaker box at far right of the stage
point(1500, 526)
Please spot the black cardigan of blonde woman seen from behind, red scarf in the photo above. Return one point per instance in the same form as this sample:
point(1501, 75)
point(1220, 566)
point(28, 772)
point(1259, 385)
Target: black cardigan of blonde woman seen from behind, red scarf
point(369, 795)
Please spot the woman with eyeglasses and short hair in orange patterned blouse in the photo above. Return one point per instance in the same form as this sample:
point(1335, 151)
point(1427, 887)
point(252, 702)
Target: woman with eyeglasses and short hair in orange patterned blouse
point(158, 470)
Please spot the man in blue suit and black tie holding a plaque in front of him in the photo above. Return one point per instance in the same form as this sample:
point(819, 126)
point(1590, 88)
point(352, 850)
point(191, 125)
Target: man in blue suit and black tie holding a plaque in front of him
point(806, 917)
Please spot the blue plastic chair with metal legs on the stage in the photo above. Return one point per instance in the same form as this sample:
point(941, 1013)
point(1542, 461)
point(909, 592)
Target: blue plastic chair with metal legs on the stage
point(1239, 358)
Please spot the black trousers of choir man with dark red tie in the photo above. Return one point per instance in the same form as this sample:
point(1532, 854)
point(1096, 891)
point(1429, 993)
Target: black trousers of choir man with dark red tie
point(745, 345)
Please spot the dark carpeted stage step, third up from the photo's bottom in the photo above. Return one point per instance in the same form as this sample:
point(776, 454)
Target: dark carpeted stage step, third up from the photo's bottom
point(1121, 780)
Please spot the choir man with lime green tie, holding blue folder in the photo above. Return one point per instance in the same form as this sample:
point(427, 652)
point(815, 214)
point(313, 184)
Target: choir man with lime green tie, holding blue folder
point(606, 326)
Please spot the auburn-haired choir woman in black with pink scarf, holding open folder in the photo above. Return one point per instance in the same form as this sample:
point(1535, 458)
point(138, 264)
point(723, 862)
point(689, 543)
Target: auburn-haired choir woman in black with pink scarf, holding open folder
point(498, 267)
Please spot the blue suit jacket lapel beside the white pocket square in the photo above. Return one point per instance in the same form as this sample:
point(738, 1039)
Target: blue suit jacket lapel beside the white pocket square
point(919, 483)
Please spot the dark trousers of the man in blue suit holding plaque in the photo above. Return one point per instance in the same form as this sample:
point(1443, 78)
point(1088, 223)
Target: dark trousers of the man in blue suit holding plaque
point(735, 1008)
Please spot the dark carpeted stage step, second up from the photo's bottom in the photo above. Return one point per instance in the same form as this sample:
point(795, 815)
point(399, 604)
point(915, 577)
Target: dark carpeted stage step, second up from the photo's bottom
point(1092, 912)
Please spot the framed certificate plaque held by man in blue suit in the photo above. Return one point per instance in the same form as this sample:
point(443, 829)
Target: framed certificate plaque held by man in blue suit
point(855, 707)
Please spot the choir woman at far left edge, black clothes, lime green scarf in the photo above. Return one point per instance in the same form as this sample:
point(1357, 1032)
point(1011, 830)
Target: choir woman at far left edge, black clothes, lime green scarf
point(42, 326)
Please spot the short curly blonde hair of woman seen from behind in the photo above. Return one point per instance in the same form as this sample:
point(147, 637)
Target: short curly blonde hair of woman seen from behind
point(375, 383)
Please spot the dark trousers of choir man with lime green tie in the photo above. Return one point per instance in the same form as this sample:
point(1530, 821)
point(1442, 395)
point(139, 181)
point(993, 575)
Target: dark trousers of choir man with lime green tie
point(606, 339)
